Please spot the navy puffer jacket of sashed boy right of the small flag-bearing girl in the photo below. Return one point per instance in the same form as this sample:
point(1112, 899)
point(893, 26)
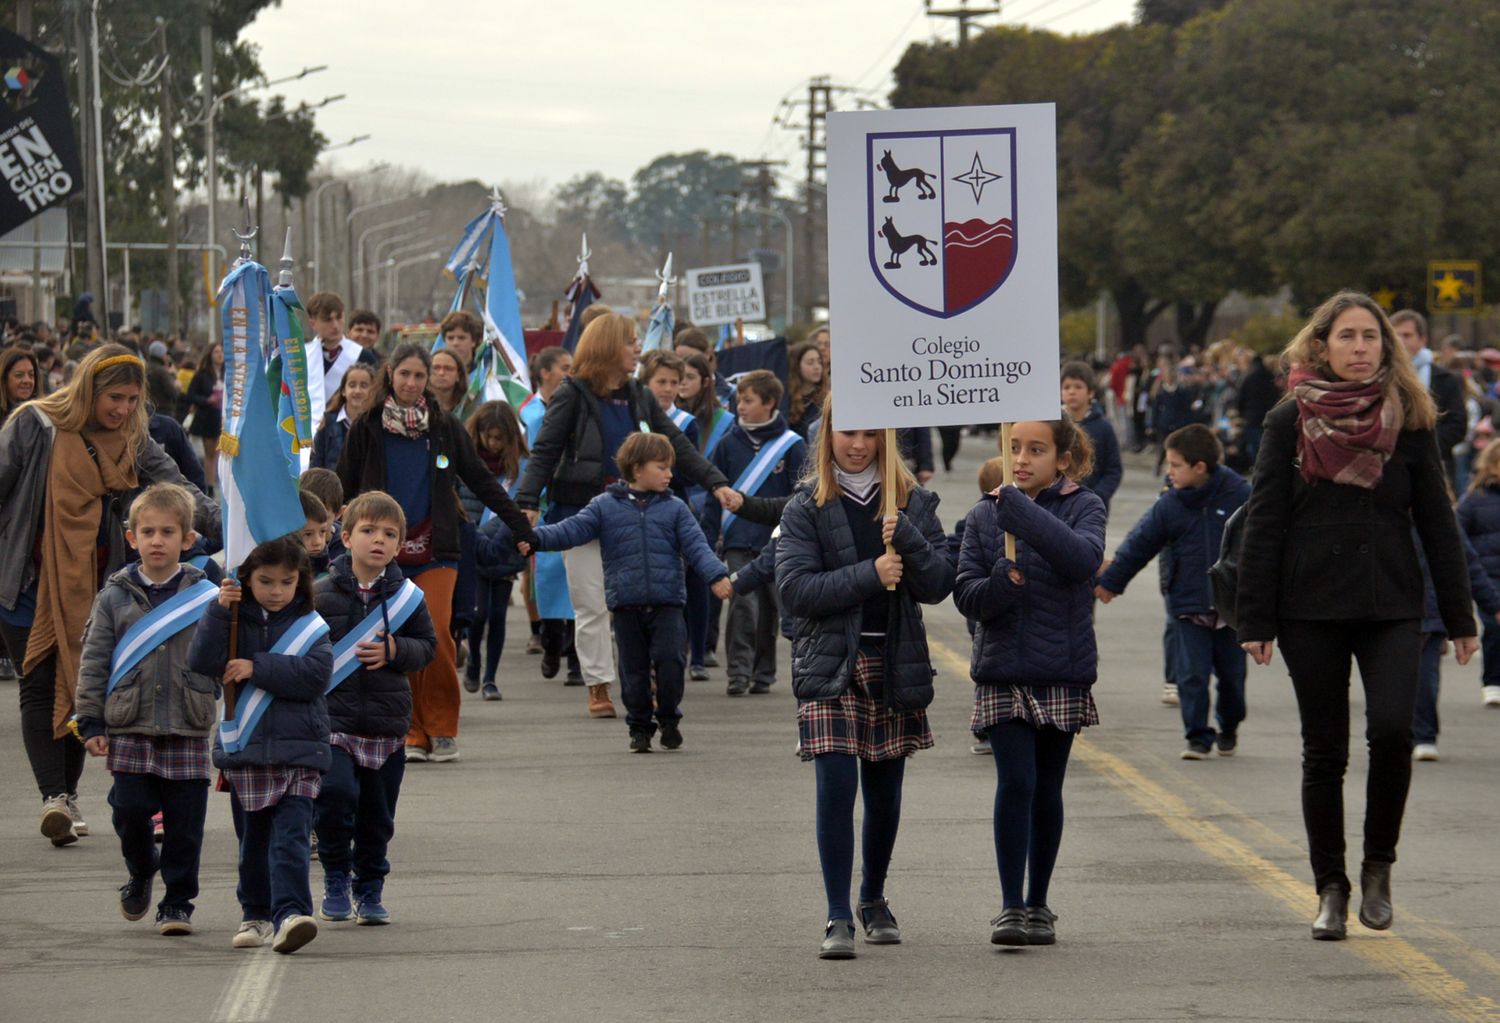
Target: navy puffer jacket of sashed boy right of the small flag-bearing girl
point(374, 701)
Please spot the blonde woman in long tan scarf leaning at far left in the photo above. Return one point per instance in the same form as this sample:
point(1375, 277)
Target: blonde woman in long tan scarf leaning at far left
point(68, 463)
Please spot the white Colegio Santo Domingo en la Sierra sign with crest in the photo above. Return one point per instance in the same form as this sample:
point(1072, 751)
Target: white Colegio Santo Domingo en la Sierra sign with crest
point(943, 266)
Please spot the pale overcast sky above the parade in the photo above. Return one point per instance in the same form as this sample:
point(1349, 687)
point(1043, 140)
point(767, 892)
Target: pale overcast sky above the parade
point(541, 92)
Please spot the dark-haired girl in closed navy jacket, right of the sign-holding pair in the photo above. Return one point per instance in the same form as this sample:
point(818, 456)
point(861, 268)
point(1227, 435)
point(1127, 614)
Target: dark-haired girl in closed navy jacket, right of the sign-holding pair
point(1034, 653)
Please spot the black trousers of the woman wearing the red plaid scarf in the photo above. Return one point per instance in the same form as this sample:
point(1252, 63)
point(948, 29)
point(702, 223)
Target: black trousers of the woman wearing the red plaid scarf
point(1319, 656)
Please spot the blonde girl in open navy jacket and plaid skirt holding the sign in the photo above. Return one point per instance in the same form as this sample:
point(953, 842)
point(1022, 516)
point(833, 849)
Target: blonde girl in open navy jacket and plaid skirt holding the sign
point(860, 665)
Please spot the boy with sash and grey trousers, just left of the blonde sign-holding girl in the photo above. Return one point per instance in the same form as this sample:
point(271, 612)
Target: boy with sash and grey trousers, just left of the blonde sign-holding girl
point(764, 458)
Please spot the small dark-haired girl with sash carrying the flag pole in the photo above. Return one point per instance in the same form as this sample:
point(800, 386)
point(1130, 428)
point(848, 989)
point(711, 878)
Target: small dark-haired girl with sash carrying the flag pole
point(274, 763)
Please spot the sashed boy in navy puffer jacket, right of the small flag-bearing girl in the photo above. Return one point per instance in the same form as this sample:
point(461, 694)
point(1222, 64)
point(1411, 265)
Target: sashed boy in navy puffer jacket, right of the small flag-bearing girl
point(382, 632)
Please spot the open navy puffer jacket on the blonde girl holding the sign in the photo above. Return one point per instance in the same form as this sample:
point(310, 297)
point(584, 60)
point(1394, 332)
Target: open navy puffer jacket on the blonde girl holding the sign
point(824, 586)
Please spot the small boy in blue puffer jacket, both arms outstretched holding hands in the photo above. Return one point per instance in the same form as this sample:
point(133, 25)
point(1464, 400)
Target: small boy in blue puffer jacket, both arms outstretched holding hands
point(644, 533)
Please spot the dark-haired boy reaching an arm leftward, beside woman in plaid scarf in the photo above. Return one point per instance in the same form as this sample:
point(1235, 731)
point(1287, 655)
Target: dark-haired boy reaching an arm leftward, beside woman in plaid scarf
point(1189, 521)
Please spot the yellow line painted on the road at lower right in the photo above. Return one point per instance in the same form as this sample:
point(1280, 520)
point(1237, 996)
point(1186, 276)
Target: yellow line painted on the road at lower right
point(1415, 968)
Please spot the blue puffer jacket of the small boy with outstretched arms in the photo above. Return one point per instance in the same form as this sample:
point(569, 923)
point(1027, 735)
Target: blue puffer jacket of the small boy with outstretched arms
point(643, 547)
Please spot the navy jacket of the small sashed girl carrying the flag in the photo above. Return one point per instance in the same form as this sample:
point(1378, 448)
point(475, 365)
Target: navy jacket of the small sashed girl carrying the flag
point(295, 731)
